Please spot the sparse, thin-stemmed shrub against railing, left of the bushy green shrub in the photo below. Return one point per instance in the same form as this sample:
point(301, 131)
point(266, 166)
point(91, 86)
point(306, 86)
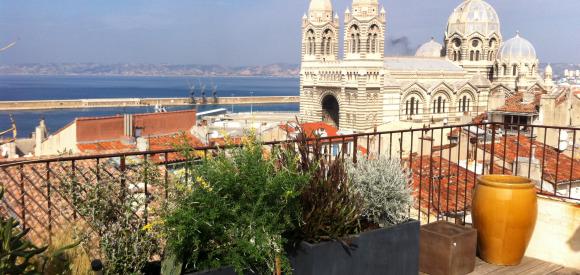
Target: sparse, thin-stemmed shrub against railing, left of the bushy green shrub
point(112, 211)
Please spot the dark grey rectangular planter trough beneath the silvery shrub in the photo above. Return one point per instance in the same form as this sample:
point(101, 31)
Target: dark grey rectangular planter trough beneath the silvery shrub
point(393, 250)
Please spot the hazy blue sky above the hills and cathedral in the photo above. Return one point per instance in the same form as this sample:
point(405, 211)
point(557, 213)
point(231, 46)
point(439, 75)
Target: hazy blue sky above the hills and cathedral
point(242, 32)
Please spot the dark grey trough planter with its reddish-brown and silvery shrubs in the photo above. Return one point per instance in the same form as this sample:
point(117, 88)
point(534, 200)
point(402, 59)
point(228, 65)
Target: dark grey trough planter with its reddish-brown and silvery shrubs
point(355, 218)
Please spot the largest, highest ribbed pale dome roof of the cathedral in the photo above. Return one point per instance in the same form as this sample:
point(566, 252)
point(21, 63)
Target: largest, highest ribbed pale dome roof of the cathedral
point(473, 16)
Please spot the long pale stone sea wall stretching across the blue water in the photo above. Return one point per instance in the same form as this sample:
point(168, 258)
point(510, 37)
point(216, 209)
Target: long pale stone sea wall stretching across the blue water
point(137, 102)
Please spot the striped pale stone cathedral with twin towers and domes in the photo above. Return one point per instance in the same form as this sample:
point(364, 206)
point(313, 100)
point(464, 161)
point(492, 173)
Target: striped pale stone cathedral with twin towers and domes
point(359, 88)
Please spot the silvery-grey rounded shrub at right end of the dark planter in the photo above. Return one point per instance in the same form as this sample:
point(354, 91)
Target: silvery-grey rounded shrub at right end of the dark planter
point(384, 186)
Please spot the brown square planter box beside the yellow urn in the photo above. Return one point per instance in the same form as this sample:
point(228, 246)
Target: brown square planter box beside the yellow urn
point(447, 248)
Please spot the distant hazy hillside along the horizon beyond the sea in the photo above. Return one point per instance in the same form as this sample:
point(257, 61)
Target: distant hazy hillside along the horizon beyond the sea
point(88, 69)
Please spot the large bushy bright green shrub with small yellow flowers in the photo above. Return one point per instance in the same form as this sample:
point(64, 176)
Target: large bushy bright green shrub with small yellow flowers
point(236, 210)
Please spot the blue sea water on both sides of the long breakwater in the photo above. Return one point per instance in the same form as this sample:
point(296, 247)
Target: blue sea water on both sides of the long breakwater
point(81, 87)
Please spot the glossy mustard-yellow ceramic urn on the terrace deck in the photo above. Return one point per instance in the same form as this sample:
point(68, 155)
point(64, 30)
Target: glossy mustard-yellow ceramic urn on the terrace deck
point(504, 212)
